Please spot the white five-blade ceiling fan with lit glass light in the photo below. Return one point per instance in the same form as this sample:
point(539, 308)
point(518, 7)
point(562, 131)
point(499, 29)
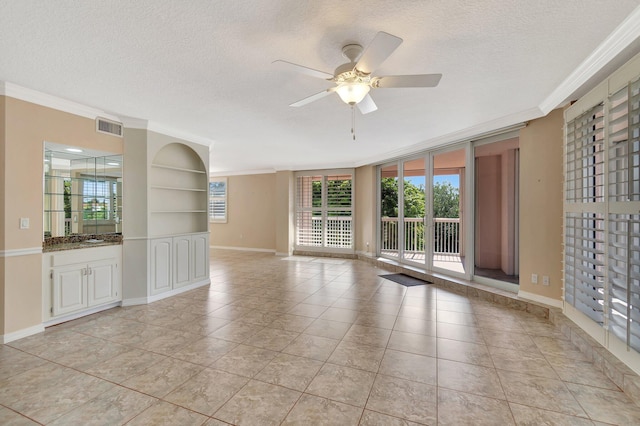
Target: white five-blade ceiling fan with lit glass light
point(353, 80)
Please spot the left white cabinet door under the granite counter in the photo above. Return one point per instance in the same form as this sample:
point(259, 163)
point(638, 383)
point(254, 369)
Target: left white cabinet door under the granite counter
point(69, 289)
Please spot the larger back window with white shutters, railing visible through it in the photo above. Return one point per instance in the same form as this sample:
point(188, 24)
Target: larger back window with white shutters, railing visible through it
point(324, 211)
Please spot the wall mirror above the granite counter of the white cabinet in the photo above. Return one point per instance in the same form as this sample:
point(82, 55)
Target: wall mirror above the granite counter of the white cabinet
point(82, 191)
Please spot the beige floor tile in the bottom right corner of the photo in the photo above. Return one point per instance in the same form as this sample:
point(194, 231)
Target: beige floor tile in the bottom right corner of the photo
point(606, 405)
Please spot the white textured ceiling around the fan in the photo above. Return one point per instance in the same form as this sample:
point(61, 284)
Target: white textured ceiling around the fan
point(205, 67)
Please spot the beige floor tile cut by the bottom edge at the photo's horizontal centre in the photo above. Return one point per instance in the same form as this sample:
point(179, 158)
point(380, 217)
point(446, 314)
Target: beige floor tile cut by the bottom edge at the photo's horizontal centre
point(313, 410)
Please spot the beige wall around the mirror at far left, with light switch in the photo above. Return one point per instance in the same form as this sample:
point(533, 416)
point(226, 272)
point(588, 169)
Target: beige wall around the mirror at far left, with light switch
point(26, 128)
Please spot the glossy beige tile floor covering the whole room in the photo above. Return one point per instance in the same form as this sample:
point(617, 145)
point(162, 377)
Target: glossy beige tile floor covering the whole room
point(305, 341)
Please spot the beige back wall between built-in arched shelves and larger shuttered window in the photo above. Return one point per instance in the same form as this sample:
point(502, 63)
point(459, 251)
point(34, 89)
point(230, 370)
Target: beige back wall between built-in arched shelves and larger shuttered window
point(251, 213)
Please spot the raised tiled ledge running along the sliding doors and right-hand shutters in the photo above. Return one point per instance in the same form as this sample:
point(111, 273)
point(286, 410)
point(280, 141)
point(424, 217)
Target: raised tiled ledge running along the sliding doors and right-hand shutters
point(623, 376)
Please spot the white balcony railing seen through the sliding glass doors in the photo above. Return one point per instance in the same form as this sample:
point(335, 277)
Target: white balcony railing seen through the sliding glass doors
point(446, 235)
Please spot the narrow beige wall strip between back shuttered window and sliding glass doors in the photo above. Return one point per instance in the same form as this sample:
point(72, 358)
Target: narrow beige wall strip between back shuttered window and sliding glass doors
point(365, 210)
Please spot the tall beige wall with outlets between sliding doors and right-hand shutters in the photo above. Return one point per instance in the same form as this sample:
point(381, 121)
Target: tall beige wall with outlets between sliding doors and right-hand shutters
point(541, 183)
